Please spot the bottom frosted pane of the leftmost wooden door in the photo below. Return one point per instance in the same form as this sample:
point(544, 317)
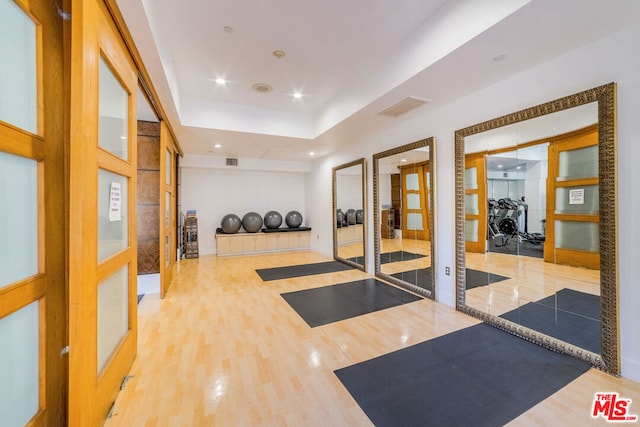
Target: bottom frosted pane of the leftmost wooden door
point(19, 366)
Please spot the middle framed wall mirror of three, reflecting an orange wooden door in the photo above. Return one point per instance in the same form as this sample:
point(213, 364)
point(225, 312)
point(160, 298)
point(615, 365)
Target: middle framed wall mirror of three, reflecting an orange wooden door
point(403, 204)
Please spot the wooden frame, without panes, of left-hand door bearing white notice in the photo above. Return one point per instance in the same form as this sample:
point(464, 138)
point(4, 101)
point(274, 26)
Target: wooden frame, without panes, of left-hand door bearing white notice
point(91, 393)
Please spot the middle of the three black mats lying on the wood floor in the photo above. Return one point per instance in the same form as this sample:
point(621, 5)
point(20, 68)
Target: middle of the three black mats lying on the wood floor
point(328, 304)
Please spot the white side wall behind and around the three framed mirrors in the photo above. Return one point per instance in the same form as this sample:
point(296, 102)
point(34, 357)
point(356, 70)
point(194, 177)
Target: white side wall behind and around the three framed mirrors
point(606, 60)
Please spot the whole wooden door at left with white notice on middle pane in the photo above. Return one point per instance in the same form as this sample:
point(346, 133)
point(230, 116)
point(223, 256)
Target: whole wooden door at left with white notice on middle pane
point(102, 214)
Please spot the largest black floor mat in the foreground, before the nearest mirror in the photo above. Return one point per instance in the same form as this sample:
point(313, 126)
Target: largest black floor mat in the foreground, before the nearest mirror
point(478, 376)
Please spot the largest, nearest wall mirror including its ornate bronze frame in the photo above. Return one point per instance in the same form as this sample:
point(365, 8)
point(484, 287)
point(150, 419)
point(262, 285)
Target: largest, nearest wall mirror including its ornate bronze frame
point(536, 230)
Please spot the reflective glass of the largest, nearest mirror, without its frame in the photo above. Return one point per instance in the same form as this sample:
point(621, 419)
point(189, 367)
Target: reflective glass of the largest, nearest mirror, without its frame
point(532, 224)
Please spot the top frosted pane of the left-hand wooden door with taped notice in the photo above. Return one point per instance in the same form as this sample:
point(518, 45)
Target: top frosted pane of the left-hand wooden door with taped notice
point(113, 111)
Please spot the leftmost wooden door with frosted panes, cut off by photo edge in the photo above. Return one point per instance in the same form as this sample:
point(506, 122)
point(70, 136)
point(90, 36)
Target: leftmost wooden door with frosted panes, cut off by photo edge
point(33, 332)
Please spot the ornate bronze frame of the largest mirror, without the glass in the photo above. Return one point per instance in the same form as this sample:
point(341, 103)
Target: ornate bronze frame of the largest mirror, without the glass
point(605, 96)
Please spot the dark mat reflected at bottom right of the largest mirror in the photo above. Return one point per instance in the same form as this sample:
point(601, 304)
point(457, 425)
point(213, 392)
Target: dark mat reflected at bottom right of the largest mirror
point(569, 315)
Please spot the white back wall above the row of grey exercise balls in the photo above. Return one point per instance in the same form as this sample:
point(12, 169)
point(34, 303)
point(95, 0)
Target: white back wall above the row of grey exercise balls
point(216, 191)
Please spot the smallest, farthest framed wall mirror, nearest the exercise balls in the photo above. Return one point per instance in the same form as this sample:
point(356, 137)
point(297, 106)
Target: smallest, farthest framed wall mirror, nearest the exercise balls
point(349, 219)
